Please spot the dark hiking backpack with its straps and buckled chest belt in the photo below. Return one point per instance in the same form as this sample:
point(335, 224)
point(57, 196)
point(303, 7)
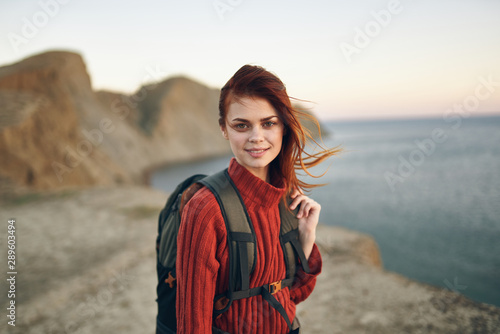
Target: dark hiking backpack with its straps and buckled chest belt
point(241, 246)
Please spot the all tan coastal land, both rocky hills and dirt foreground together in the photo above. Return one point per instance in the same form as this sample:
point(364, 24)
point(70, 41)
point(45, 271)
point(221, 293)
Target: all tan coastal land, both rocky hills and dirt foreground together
point(72, 178)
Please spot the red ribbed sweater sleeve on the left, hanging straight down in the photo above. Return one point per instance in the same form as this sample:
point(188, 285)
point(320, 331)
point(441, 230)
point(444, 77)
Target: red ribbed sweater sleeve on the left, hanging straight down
point(197, 263)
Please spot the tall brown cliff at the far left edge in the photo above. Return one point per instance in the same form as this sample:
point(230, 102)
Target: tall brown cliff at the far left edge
point(40, 139)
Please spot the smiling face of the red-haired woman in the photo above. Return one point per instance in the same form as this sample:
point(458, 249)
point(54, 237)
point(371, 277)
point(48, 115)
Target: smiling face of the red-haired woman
point(255, 134)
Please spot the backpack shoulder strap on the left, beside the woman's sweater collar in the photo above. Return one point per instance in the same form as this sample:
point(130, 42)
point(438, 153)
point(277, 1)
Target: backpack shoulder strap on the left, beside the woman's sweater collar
point(240, 232)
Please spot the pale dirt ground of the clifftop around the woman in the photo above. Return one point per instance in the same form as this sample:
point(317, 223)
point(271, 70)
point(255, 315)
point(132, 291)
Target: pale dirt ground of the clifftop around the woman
point(85, 263)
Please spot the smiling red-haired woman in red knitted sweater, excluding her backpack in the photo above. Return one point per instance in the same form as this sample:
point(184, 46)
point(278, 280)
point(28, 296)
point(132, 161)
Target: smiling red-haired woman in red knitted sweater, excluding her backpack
point(267, 140)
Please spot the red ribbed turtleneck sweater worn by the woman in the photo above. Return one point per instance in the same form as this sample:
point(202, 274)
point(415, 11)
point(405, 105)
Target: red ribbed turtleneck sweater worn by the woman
point(203, 266)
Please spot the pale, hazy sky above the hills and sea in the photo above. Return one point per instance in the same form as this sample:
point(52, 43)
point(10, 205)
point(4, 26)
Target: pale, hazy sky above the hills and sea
point(352, 60)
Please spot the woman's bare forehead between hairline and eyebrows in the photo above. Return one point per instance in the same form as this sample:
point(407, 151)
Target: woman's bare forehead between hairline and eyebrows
point(250, 109)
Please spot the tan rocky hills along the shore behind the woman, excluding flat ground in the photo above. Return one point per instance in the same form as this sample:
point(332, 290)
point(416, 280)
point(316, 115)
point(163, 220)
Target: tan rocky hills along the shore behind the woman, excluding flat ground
point(57, 132)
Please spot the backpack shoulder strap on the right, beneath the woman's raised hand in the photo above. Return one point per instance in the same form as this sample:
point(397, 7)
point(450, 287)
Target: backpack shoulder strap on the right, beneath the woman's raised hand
point(289, 236)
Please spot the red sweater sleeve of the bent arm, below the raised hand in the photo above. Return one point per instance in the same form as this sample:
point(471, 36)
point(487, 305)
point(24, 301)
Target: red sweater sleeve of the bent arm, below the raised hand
point(304, 283)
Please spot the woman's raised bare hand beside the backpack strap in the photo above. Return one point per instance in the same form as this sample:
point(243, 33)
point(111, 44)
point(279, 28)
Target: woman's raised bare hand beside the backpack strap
point(308, 220)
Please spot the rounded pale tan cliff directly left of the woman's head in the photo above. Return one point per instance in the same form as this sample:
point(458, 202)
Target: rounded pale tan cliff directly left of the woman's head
point(181, 116)
